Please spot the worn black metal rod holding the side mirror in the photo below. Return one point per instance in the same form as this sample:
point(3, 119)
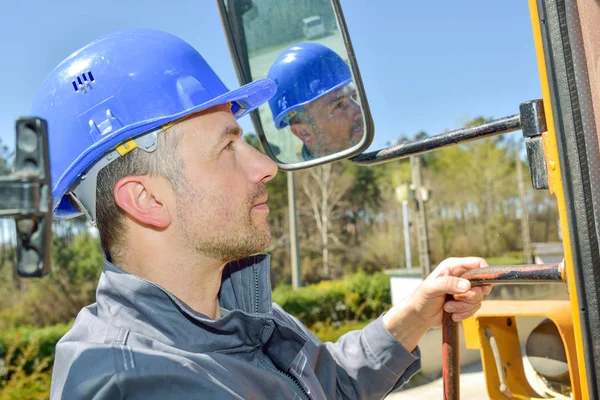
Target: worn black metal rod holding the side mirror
point(493, 128)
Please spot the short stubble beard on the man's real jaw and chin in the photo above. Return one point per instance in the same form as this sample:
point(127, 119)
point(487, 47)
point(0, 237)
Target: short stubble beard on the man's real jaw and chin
point(226, 234)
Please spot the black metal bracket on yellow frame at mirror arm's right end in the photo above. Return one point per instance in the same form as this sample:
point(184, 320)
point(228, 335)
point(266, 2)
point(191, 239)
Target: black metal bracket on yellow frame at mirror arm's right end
point(533, 122)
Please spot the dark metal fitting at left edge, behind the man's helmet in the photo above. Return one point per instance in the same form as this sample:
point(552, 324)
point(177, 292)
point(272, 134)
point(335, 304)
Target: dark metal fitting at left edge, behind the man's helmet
point(26, 196)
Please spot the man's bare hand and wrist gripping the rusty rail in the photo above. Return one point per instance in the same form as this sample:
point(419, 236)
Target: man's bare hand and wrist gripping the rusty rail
point(423, 309)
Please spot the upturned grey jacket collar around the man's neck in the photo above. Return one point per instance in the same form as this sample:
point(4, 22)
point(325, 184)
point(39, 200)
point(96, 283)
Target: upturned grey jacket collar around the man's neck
point(147, 310)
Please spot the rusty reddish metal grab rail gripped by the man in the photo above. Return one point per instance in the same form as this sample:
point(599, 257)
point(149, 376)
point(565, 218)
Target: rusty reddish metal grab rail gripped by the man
point(515, 274)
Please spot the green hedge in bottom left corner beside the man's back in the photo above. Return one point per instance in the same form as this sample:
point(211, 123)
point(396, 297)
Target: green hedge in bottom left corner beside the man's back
point(28, 354)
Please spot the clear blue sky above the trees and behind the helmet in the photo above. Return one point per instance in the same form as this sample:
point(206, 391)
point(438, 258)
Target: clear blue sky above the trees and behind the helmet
point(428, 66)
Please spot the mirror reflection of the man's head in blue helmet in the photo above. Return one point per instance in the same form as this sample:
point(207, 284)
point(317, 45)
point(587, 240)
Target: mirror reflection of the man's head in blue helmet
point(317, 99)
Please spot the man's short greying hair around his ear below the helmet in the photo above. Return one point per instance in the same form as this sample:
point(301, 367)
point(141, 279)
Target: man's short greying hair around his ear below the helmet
point(165, 161)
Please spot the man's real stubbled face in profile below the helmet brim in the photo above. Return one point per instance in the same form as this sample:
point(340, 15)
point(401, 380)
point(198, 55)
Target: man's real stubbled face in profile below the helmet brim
point(221, 209)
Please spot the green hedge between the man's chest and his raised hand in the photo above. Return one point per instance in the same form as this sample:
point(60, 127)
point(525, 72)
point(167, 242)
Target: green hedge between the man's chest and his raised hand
point(359, 297)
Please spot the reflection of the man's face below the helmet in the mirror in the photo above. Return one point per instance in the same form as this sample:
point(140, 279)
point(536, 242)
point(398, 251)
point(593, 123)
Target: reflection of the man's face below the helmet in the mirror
point(331, 123)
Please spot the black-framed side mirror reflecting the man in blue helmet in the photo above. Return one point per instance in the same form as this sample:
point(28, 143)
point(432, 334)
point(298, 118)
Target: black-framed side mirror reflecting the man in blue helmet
point(320, 112)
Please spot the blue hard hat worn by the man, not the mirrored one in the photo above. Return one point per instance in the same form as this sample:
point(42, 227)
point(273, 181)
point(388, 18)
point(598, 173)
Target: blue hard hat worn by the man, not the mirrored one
point(117, 88)
